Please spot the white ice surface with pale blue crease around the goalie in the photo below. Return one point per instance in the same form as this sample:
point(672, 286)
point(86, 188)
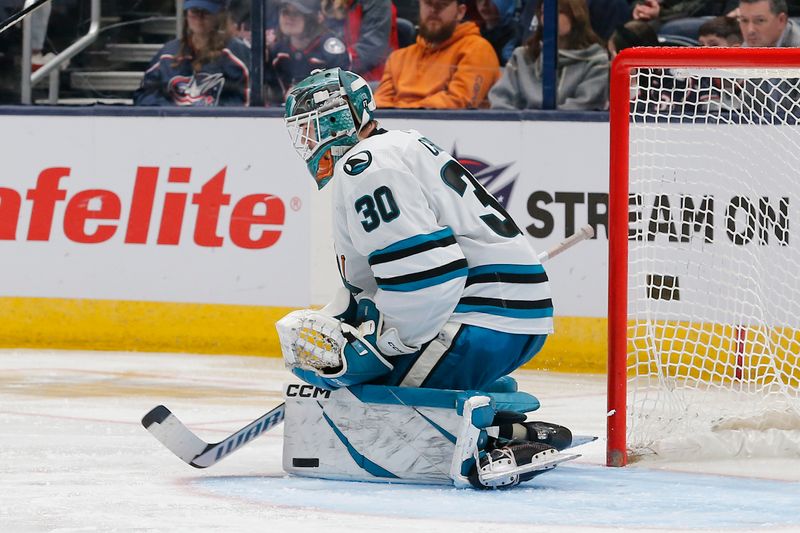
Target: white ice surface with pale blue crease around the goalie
point(74, 457)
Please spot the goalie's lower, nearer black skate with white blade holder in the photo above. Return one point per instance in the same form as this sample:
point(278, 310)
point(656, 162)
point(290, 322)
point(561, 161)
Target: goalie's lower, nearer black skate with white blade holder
point(512, 464)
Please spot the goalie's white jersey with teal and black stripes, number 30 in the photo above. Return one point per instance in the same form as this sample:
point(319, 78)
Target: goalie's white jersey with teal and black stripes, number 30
point(415, 232)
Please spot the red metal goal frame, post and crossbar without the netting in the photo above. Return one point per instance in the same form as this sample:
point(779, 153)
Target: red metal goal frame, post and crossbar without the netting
point(619, 155)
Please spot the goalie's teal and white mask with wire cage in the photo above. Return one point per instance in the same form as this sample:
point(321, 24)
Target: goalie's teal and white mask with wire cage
point(324, 114)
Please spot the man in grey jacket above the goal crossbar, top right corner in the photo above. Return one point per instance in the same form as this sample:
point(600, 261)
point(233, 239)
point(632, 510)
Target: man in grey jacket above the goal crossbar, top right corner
point(766, 23)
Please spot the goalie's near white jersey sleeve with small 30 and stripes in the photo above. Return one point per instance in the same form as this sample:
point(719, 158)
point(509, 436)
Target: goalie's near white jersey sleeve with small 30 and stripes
point(391, 245)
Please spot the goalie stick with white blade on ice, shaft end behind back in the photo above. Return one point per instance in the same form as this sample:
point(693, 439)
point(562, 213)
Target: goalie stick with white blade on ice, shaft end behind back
point(180, 440)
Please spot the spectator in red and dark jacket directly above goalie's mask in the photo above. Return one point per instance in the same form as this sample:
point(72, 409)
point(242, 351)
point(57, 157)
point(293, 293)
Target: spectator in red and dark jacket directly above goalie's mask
point(368, 29)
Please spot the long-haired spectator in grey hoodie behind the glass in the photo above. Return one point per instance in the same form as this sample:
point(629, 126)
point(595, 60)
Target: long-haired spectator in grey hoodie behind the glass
point(582, 67)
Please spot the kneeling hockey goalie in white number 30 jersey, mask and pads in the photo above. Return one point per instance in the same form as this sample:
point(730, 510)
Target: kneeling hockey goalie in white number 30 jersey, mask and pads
point(443, 298)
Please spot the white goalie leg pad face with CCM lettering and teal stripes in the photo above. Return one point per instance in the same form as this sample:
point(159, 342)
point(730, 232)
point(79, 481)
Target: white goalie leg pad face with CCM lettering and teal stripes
point(343, 434)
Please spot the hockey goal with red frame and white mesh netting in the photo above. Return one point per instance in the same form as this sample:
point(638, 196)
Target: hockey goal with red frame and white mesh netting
point(704, 272)
